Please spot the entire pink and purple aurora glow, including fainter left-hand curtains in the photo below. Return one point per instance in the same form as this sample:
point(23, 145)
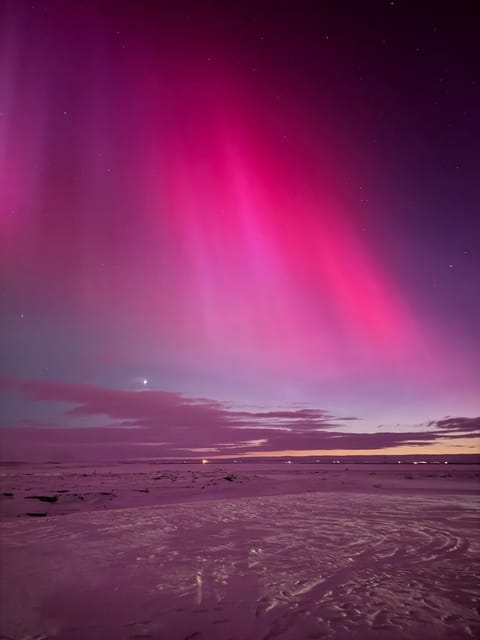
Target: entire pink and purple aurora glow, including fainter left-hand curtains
point(162, 210)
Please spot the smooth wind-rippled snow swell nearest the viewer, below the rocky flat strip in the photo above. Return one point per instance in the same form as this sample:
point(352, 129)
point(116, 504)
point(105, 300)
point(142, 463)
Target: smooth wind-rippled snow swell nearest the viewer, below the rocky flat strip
point(317, 565)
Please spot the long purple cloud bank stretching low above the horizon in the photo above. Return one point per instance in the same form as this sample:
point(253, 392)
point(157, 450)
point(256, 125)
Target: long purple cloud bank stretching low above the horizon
point(153, 423)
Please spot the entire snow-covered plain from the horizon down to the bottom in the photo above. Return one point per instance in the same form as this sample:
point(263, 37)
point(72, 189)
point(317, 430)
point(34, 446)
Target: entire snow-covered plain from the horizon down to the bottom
point(240, 553)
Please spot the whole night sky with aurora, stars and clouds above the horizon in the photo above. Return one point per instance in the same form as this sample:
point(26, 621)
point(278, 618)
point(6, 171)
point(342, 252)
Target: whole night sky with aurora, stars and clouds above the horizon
point(234, 227)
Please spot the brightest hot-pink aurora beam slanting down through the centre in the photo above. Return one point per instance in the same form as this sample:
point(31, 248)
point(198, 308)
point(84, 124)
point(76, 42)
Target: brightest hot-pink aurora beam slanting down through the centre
point(268, 263)
